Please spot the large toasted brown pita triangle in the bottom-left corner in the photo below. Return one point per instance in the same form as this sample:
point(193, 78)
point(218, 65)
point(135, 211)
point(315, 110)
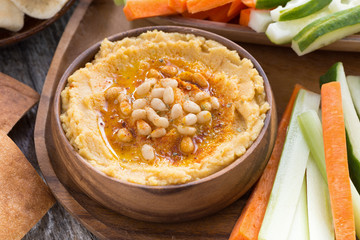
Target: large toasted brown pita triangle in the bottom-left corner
point(24, 197)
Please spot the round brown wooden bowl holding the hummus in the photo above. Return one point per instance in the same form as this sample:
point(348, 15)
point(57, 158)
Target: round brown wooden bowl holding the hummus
point(173, 203)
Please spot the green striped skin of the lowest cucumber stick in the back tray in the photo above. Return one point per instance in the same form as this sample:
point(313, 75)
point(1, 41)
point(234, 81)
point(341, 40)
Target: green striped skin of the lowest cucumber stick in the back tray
point(326, 25)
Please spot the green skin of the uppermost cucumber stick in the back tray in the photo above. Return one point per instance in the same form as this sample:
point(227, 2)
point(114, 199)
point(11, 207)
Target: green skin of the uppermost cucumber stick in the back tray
point(303, 10)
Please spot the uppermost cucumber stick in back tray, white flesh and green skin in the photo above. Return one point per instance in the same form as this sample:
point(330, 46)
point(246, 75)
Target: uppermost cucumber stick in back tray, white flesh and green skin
point(297, 9)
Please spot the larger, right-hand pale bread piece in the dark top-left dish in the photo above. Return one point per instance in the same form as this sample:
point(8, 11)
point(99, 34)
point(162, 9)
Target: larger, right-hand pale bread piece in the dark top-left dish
point(41, 9)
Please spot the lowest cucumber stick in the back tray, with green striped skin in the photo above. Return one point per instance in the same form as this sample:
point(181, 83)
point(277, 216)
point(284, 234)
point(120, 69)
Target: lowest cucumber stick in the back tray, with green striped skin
point(326, 30)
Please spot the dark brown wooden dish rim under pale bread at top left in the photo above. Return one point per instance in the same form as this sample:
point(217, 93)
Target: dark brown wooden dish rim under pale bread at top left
point(31, 26)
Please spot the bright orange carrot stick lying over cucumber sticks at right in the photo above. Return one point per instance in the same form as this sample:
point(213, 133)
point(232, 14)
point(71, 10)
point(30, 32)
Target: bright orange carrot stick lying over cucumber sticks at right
point(337, 170)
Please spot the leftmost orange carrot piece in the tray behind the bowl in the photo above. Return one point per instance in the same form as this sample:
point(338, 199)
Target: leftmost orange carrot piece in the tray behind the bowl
point(135, 9)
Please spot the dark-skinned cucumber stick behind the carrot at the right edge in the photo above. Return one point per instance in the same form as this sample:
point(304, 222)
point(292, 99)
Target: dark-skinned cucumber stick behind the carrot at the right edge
point(352, 123)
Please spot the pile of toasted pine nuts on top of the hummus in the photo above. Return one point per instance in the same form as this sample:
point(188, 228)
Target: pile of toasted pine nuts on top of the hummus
point(154, 108)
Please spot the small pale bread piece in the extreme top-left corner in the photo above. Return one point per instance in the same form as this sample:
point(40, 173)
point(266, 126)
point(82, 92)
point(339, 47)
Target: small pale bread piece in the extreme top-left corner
point(11, 18)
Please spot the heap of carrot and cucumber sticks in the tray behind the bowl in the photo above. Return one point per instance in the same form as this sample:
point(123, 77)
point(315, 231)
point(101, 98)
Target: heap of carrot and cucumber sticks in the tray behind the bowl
point(306, 24)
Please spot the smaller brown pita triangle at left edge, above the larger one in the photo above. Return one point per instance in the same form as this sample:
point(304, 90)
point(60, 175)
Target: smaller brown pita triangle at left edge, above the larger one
point(16, 99)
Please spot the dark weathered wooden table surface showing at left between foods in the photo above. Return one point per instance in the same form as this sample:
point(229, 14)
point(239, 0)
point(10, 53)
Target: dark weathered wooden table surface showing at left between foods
point(28, 62)
